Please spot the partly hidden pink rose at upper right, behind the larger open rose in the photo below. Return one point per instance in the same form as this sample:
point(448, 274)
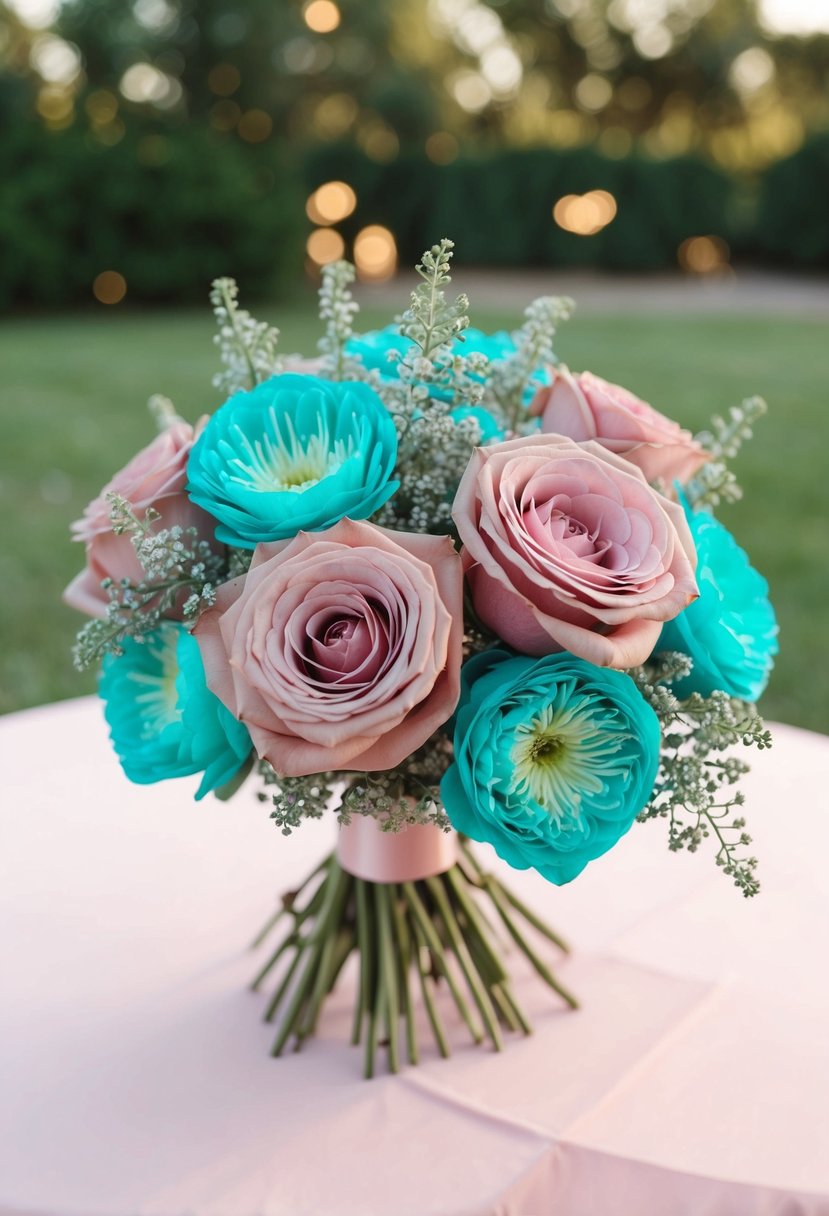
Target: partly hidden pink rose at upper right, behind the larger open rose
point(585, 407)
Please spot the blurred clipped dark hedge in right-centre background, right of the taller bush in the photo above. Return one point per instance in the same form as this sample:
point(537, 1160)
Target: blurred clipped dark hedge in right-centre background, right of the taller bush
point(501, 205)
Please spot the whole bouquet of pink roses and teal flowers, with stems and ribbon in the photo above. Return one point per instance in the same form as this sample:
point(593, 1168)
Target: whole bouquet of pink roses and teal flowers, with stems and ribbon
point(439, 588)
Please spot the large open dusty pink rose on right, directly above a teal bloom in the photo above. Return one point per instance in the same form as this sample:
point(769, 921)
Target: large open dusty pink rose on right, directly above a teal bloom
point(567, 548)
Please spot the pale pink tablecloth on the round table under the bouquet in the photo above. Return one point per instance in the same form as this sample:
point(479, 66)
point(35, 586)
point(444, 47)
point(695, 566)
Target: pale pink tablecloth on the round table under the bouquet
point(134, 1069)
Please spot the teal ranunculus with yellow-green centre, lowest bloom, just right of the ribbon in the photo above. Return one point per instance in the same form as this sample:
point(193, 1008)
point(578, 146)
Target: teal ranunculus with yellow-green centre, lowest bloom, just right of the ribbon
point(554, 759)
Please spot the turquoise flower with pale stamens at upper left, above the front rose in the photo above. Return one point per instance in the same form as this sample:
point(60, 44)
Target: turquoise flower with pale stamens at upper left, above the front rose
point(296, 454)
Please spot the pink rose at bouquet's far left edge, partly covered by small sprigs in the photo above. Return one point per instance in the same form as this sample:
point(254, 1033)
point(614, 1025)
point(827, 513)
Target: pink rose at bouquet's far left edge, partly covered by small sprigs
point(154, 478)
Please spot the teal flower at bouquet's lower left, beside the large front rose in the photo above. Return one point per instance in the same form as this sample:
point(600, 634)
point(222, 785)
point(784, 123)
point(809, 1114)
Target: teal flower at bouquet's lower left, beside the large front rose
point(163, 719)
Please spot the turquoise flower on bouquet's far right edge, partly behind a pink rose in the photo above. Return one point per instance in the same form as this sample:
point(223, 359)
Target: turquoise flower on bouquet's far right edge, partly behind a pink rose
point(731, 632)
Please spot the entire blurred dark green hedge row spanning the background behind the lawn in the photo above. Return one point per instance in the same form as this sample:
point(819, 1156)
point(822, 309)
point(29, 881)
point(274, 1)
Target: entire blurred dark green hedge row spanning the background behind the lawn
point(173, 210)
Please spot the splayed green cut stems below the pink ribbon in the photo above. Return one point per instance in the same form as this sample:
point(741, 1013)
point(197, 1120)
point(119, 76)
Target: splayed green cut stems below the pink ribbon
point(409, 937)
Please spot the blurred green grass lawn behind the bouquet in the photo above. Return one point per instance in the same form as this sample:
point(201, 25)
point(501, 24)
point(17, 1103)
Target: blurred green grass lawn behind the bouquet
point(74, 412)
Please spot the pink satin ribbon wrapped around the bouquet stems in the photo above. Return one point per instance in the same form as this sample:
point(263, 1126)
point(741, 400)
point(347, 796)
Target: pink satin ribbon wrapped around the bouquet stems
point(419, 852)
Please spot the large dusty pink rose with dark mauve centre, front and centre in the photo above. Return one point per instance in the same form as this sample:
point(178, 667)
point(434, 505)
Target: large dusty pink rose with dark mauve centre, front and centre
point(340, 650)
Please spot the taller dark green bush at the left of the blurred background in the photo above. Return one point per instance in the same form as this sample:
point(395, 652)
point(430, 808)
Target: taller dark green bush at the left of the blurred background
point(168, 211)
